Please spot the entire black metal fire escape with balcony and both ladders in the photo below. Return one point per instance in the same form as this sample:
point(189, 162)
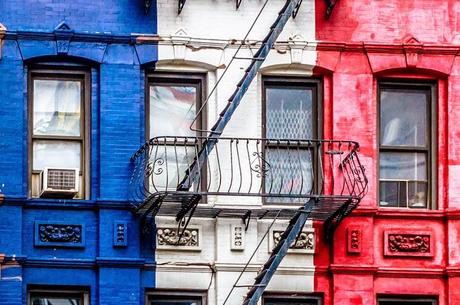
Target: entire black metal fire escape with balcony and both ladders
point(324, 179)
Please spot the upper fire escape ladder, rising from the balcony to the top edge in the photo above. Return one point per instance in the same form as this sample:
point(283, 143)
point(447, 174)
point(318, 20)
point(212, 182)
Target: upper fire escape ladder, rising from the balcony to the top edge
point(288, 10)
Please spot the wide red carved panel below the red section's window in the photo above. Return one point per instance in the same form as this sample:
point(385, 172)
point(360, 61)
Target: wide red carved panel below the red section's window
point(408, 243)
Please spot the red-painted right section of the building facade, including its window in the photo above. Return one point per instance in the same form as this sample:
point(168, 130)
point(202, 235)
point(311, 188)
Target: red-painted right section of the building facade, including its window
point(400, 246)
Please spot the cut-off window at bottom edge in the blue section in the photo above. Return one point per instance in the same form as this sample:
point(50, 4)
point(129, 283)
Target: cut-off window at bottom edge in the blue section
point(64, 297)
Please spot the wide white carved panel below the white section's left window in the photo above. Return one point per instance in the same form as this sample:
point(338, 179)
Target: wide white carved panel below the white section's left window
point(167, 239)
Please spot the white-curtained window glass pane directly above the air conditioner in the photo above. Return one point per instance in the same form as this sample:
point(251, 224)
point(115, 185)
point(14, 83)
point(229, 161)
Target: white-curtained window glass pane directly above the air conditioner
point(60, 154)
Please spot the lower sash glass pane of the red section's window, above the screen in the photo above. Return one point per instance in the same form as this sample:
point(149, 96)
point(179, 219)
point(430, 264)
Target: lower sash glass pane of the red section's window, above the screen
point(403, 166)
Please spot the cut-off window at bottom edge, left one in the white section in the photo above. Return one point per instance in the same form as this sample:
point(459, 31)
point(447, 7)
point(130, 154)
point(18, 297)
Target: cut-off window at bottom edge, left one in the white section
point(176, 298)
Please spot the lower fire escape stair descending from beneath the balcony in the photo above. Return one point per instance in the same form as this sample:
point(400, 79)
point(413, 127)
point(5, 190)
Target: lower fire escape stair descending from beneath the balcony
point(288, 237)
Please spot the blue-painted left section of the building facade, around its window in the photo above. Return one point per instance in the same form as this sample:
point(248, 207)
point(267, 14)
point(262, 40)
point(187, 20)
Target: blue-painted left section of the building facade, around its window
point(90, 245)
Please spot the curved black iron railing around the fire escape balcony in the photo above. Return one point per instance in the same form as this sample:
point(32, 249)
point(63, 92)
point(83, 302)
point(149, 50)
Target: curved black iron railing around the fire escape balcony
point(281, 171)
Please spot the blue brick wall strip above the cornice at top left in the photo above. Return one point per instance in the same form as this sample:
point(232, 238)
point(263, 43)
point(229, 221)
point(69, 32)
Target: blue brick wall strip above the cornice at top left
point(115, 16)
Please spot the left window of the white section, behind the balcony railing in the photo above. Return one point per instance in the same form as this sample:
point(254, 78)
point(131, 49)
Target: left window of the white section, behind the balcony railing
point(174, 101)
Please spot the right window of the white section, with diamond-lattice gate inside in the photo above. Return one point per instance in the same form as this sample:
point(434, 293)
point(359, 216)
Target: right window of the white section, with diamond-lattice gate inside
point(290, 111)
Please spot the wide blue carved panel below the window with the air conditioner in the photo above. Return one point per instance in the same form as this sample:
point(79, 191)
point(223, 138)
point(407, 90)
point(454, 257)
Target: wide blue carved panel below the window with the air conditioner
point(58, 234)
